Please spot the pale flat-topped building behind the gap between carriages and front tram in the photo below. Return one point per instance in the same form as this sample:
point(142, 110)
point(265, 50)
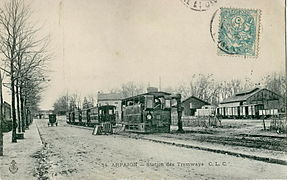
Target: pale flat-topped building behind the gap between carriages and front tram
point(111, 99)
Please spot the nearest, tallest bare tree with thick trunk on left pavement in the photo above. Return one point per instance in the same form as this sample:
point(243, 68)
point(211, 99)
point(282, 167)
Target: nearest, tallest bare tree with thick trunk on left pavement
point(12, 20)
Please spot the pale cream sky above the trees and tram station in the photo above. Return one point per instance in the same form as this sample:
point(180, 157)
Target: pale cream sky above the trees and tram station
point(98, 45)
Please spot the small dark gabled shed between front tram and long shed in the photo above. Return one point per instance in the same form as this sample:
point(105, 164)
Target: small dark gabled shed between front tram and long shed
point(191, 104)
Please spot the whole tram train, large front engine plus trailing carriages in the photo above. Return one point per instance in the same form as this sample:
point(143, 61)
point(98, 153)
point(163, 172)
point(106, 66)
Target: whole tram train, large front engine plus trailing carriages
point(144, 113)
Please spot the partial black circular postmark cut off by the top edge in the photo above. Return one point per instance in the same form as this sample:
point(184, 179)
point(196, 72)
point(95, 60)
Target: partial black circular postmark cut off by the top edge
point(199, 5)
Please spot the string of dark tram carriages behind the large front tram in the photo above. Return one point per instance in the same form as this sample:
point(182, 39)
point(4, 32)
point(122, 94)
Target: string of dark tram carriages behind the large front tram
point(92, 116)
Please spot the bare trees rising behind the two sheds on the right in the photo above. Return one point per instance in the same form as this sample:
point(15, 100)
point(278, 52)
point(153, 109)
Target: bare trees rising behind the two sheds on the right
point(207, 88)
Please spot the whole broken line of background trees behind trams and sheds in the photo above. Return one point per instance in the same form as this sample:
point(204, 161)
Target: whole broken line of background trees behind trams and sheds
point(205, 87)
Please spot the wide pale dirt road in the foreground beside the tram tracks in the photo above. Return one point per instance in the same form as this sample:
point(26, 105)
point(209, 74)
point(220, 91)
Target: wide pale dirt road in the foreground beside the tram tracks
point(74, 153)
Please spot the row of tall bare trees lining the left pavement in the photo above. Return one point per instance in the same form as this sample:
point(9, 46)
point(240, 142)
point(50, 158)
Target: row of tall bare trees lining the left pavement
point(23, 63)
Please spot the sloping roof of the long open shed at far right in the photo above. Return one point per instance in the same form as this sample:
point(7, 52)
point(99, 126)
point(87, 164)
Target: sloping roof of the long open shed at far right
point(241, 96)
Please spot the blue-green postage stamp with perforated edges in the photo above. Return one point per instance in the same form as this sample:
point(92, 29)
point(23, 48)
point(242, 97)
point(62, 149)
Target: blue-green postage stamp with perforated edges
point(238, 32)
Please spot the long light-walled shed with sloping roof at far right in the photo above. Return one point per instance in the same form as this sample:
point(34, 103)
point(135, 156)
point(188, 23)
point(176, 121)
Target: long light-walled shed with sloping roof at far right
point(248, 104)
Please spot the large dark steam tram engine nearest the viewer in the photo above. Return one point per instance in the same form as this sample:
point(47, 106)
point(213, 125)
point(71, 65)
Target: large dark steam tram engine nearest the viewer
point(148, 113)
